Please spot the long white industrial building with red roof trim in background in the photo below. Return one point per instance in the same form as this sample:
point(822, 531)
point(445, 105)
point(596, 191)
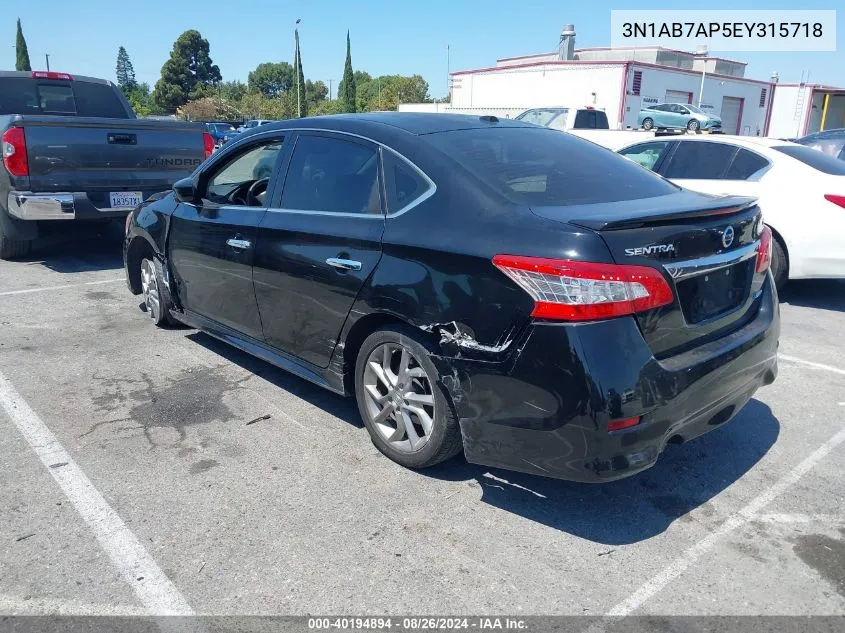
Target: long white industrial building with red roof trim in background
point(622, 80)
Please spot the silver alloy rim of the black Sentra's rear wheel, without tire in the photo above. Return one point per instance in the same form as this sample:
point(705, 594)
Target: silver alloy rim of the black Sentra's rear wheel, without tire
point(399, 397)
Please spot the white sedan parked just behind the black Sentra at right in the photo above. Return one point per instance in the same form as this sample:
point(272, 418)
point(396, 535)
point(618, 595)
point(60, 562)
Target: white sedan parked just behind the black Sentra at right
point(801, 192)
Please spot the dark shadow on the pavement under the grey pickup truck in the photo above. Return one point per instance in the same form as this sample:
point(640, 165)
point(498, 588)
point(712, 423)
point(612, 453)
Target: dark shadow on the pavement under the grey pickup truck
point(79, 247)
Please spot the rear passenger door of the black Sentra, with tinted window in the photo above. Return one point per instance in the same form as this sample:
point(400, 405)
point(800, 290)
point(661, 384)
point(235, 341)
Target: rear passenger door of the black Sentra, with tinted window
point(319, 243)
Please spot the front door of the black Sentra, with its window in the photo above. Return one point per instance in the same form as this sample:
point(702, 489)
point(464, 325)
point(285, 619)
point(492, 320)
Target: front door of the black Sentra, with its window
point(211, 244)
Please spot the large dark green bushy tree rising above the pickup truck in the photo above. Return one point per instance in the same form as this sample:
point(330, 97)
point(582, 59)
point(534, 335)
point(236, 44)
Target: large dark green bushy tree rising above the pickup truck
point(188, 74)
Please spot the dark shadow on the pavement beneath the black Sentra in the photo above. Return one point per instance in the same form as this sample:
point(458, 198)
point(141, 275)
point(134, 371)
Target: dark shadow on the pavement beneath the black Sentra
point(685, 478)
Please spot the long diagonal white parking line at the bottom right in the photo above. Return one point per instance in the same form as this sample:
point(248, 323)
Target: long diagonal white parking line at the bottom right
point(735, 521)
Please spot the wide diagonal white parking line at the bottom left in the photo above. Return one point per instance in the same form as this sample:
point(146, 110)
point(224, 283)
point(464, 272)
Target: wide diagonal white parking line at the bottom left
point(128, 555)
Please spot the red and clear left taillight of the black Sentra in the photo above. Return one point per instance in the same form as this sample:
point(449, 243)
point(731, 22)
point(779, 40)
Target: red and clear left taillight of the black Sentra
point(579, 291)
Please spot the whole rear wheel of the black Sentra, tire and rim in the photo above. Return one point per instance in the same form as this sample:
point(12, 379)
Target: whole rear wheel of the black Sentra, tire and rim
point(407, 412)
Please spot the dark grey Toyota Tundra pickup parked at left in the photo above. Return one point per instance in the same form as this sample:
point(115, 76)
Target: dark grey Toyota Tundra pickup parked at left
point(73, 150)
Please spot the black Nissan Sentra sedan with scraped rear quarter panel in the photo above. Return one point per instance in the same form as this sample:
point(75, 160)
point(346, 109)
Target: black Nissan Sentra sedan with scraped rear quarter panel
point(479, 285)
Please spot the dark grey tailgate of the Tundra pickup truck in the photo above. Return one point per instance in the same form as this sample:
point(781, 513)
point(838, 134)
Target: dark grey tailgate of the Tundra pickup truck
point(100, 155)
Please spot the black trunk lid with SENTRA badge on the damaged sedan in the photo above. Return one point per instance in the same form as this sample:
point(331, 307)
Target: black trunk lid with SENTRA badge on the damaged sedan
point(704, 246)
